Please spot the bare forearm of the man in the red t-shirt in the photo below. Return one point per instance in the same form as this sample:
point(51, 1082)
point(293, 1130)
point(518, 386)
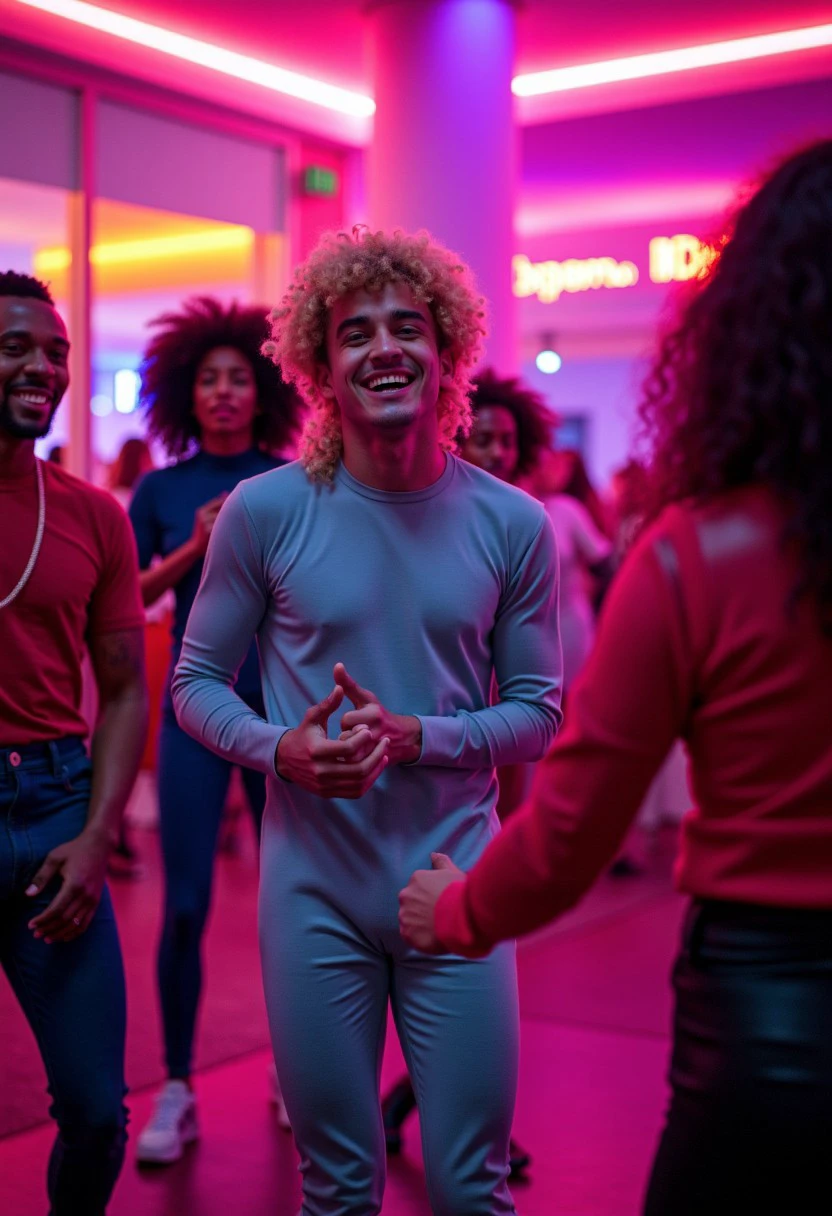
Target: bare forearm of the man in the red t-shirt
point(119, 744)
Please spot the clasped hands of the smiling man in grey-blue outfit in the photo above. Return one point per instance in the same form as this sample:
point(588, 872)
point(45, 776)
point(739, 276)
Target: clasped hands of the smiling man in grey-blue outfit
point(372, 738)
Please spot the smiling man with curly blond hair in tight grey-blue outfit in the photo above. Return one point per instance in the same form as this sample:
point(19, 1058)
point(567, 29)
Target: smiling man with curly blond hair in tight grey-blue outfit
point(383, 571)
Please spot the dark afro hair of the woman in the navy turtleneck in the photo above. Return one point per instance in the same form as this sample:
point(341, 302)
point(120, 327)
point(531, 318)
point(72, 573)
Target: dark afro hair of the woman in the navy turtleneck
point(173, 356)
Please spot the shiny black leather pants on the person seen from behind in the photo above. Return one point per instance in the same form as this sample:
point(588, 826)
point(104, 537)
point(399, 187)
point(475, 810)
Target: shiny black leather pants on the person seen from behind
point(750, 1125)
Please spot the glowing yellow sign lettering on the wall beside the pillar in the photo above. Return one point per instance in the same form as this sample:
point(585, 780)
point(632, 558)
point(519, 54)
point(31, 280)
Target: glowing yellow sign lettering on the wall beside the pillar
point(673, 260)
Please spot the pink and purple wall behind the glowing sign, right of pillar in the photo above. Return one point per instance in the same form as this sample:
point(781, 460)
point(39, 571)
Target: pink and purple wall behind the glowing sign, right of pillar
point(653, 172)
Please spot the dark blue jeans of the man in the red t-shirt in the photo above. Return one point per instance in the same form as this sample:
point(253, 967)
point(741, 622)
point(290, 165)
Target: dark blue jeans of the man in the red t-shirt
point(71, 993)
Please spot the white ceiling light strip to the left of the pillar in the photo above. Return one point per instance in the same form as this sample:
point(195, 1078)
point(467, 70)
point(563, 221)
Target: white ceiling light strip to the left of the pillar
point(194, 50)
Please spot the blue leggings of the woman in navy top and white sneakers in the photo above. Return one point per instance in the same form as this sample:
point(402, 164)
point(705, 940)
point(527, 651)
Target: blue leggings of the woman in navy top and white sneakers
point(193, 787)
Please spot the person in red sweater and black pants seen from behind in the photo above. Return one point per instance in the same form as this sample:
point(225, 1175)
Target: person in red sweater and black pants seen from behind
point(719, 632)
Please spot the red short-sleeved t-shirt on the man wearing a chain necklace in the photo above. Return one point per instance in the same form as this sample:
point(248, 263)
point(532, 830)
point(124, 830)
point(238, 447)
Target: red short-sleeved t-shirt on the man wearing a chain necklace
point(86, 583)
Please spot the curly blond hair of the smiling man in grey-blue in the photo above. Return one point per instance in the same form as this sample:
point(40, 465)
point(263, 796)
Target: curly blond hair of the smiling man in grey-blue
point(345, 263)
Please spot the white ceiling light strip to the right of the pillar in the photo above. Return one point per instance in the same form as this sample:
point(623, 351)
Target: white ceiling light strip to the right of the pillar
point(637, 67)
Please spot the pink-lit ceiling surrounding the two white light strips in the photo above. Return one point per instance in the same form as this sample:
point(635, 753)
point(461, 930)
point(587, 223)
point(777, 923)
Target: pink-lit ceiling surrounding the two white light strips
point(329, 40)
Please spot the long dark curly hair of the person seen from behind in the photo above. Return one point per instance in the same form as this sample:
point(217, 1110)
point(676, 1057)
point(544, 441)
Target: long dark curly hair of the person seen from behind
point(741, 391)
